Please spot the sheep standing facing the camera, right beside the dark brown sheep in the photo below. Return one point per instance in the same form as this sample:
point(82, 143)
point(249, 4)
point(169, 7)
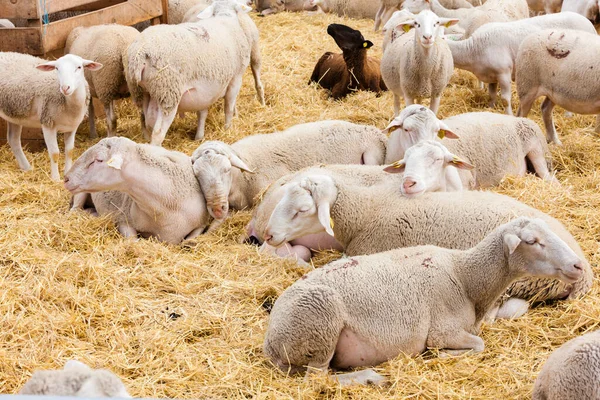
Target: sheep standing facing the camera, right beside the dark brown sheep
point(419, 64)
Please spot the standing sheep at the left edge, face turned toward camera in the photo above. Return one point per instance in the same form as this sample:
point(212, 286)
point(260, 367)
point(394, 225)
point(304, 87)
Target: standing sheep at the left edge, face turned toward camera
point(33, 95)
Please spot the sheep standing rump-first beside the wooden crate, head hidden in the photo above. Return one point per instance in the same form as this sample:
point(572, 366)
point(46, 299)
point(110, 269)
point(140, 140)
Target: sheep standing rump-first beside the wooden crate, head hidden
point(108, 45)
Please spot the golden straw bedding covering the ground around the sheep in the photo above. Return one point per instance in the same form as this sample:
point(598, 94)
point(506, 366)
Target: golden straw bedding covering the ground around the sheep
point(188, 321)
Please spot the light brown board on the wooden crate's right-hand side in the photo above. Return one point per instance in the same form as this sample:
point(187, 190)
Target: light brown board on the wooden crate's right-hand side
point(129, 13)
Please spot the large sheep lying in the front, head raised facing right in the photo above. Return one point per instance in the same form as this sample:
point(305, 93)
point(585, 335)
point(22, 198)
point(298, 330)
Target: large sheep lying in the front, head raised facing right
point(362, 311)
